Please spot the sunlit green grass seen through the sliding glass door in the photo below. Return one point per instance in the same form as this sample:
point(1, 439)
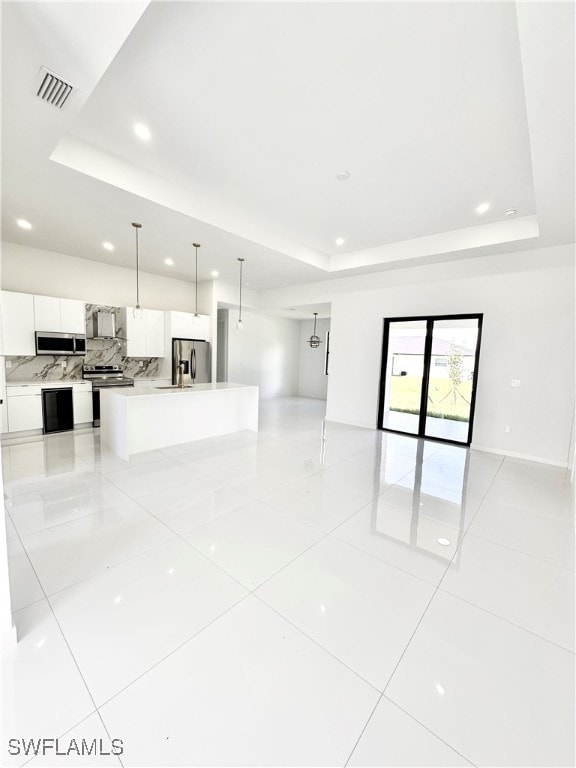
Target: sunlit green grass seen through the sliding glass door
point(405, 397)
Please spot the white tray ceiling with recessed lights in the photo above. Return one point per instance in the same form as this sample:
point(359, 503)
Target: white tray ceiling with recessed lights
point(253, 109)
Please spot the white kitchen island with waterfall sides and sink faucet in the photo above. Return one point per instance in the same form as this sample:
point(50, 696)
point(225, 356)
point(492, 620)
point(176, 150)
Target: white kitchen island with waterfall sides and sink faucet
point(137, 419)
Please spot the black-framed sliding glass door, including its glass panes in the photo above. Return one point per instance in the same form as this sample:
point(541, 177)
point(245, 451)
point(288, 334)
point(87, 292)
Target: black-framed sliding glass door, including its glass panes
point(429, 374)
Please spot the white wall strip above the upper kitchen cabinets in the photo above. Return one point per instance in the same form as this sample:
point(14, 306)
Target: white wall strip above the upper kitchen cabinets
point(32, 270)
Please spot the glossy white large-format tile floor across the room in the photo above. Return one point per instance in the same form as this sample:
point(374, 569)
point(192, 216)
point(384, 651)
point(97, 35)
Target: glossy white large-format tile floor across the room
point(310, 595)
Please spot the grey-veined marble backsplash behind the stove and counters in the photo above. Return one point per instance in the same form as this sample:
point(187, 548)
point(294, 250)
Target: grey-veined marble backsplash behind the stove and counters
point(98, 352)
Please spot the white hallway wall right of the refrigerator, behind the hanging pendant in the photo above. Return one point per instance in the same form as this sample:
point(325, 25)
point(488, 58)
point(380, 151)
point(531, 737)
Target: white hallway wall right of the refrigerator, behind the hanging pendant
point(265, 353)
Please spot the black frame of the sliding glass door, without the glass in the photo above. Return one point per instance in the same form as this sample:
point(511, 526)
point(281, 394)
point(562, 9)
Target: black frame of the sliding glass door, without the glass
point(429, 320)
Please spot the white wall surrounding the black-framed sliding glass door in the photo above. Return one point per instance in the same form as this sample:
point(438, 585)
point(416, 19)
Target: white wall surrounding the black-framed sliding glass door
point(528, 303)
